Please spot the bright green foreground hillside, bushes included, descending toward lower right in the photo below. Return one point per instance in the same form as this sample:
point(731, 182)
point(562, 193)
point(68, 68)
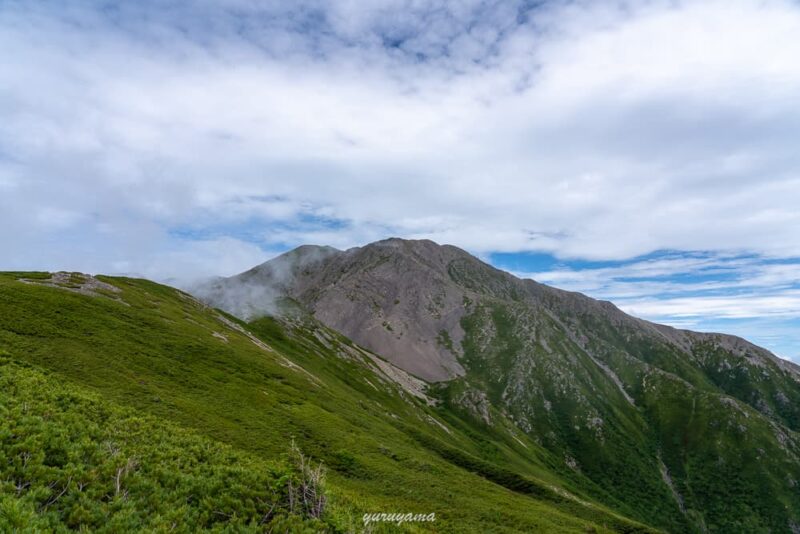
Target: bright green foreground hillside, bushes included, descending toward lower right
point(116, 379)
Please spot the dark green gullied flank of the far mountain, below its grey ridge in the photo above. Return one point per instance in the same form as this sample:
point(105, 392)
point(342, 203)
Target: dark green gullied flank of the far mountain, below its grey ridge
point(687, 451)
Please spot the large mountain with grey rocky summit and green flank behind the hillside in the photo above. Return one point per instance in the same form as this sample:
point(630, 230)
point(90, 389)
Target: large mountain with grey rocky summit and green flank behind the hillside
point(684, 431)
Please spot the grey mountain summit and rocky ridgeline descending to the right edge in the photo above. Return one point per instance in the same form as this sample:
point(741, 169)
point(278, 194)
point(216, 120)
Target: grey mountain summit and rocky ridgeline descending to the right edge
point(313, 274)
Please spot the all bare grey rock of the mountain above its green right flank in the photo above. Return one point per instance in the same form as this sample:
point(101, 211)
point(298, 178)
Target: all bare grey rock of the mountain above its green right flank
point(405, 300)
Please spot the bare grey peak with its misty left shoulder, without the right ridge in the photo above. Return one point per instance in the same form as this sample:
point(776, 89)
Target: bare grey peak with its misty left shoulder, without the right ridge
point(393, 297)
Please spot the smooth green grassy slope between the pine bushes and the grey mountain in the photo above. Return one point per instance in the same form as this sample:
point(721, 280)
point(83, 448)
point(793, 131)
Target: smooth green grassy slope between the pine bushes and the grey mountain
point(156, 350)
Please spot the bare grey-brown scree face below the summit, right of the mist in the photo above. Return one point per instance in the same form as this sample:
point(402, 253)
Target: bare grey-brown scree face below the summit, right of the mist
point(394, 298)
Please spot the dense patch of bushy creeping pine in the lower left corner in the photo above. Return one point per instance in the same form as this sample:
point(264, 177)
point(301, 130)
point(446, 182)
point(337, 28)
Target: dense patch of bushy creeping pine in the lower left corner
point(69, 460)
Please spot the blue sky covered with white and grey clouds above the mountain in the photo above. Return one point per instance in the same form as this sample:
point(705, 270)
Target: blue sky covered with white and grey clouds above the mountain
point(643, 152)
